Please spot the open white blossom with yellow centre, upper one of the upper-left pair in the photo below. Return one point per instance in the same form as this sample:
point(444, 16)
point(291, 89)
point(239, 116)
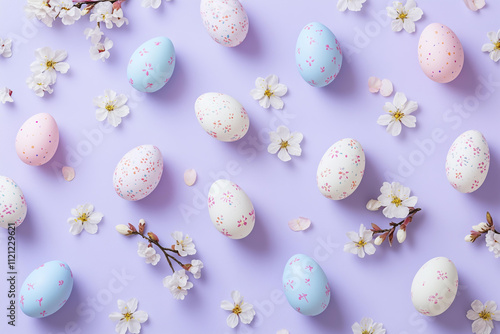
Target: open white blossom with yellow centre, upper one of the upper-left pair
point(49, 62)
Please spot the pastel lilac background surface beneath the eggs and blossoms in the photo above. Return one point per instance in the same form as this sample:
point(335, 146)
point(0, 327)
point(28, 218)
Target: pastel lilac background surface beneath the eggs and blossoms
point(377, 286)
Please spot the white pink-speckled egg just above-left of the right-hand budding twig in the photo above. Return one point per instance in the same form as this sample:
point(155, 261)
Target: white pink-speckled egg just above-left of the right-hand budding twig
point(341, 169)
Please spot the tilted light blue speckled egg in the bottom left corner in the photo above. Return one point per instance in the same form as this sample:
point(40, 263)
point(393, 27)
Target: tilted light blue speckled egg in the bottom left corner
point(46, 289)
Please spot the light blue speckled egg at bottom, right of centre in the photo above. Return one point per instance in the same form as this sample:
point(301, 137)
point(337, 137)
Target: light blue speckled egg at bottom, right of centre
point(306, 286)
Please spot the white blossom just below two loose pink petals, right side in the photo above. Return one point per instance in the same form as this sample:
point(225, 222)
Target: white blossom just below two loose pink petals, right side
point(397, 113)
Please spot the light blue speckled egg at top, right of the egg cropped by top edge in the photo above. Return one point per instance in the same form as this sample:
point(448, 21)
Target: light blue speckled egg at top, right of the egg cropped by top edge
point(318, 55)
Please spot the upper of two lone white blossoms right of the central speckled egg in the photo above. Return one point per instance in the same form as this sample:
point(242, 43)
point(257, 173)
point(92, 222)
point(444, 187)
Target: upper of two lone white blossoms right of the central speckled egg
point(269, 92)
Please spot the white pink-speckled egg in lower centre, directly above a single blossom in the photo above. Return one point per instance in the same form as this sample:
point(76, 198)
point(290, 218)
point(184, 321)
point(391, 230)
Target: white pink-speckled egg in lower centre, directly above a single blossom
point(230, 209)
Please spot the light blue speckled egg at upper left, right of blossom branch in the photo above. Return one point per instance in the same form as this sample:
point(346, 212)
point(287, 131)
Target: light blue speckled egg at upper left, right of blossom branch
point(152, 65)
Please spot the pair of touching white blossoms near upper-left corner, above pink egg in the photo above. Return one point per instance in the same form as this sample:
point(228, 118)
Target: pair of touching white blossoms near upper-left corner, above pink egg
point(48, 62)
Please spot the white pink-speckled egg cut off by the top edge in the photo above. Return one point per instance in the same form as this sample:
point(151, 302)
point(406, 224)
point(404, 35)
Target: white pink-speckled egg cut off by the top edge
point(225, 20)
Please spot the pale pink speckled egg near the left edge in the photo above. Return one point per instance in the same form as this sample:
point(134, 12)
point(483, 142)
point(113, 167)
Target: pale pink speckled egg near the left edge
point(37, 140)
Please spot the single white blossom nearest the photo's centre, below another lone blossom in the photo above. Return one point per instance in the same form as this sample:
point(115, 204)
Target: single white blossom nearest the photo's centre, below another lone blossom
point(284, 143)
